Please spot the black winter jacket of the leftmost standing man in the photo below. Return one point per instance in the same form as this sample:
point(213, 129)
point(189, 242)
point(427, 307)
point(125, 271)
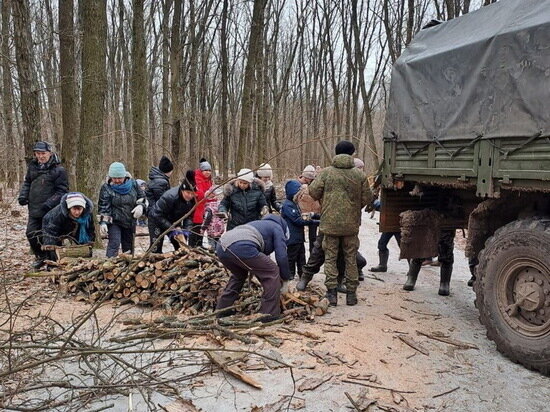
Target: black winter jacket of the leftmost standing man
point(43, 186)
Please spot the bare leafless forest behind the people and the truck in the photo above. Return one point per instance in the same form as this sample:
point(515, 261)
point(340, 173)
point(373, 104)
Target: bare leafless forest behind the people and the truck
point(239, 82)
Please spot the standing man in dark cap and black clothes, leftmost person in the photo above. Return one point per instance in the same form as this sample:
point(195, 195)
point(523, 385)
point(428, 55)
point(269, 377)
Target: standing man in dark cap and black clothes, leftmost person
point(45, 182)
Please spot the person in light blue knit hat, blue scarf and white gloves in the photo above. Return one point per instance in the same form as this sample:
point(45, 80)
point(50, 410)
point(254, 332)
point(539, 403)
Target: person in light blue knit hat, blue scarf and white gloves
point(121, 202)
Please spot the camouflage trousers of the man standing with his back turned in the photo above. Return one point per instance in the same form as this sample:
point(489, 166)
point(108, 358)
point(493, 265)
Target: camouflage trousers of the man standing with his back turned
point(349, 246)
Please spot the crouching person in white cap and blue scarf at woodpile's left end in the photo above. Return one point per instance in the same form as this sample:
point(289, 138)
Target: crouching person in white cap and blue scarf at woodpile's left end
point(71, 219)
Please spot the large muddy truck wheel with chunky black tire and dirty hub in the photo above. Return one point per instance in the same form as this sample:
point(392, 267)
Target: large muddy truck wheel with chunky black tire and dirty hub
point(513, 291)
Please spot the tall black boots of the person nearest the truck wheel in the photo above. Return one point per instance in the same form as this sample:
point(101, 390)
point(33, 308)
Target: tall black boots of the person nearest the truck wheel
point(445, 248)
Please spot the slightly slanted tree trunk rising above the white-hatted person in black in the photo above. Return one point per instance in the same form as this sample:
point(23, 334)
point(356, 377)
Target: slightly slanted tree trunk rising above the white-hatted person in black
point(249, 85)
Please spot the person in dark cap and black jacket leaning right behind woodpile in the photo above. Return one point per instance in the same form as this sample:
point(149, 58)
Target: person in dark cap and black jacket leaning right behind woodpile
point(172, 206)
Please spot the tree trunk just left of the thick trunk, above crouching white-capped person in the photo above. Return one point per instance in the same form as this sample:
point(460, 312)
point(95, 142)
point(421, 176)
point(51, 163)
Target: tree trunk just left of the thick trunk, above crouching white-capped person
point(69, 102)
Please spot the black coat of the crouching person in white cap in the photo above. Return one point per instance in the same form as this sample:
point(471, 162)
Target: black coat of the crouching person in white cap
point(58, 224)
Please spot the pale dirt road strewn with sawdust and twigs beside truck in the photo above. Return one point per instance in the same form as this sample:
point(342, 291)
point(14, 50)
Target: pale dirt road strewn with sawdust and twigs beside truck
point(371, 342)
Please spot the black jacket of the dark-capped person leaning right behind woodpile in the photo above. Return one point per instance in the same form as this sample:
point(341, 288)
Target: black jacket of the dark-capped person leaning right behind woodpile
point(169, 208)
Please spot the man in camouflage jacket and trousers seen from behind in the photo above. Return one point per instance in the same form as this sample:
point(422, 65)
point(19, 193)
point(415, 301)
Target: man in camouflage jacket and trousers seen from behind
point(343, 191)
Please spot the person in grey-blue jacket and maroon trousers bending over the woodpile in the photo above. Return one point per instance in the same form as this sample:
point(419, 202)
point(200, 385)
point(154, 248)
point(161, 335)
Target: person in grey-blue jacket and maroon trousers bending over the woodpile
point(245, 250)
